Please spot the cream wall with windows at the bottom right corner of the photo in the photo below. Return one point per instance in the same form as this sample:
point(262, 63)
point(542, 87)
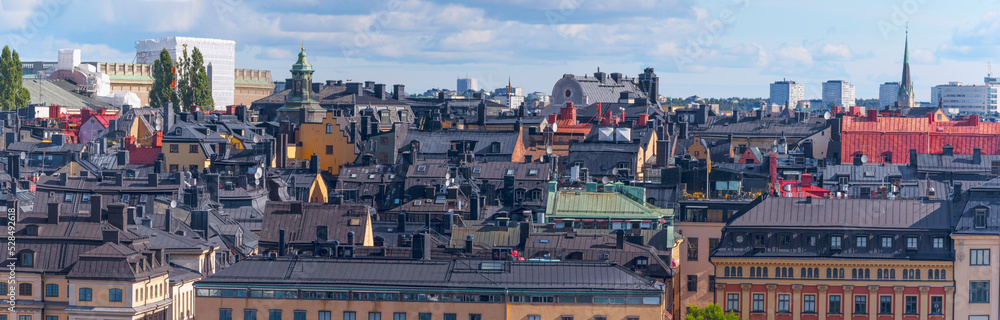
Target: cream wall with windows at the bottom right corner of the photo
point(964, 272)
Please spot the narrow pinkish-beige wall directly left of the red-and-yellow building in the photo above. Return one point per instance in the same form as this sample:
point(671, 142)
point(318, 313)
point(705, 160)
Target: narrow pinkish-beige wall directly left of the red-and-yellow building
point(701, 268)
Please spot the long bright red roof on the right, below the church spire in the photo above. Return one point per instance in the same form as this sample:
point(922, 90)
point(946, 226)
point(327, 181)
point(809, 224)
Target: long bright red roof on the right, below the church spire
point(894, 137)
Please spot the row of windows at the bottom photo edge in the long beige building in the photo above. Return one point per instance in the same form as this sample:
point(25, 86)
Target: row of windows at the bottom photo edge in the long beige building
point(275, 314)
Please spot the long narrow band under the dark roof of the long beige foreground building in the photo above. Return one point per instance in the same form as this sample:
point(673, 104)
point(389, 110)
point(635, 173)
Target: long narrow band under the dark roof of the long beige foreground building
point(432, 297)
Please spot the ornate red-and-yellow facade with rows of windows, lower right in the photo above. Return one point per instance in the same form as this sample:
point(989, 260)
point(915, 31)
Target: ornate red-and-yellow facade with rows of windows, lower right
point(823, 287)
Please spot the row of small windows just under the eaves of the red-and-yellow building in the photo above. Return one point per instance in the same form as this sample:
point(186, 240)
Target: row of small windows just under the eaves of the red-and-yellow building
point(834, 273)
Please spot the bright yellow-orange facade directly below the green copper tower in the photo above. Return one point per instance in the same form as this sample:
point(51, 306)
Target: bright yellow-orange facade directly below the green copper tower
point(328, 140)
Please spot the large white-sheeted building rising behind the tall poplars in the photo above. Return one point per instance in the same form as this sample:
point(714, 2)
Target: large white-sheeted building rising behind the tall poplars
point(220, 61)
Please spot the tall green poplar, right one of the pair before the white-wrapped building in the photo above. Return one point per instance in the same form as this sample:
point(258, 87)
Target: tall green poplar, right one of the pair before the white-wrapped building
point(194, 86)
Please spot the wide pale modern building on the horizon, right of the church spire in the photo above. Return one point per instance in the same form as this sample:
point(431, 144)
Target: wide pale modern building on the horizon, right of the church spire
point(956, 97)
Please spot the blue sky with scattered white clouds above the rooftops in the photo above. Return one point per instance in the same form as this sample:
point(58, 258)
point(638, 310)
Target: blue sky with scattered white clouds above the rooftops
point(709, 48)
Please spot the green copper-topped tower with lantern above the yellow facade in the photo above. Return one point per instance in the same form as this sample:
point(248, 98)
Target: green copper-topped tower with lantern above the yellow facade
point(300, 106)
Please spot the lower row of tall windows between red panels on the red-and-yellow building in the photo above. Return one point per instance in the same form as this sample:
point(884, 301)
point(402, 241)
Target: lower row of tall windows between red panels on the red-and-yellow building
point(783, 304)
